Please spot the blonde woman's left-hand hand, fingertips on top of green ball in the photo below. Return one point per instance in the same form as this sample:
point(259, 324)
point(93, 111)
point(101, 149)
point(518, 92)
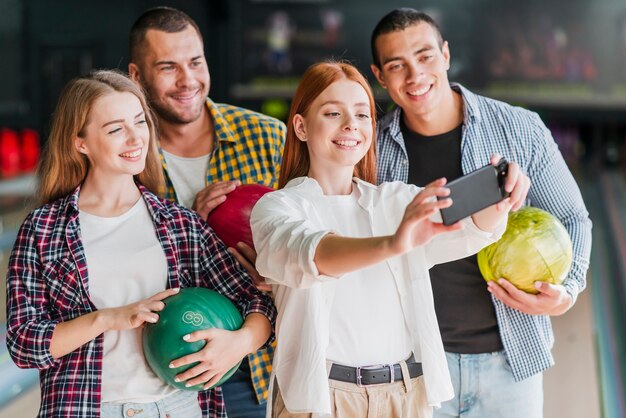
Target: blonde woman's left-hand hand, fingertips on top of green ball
point(136, 314)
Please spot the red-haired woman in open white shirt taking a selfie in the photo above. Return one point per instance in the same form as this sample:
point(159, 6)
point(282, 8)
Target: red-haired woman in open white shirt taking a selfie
point(348, 262)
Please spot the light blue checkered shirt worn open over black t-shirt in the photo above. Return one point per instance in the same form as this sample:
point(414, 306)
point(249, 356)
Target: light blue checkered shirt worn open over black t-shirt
point(519, 135)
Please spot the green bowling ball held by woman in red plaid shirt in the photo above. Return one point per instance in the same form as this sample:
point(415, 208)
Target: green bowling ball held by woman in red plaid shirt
point(189, 310)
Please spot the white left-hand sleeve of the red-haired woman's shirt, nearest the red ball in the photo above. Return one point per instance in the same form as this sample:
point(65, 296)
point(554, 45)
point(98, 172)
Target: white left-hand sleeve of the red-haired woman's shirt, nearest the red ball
point(285, 241)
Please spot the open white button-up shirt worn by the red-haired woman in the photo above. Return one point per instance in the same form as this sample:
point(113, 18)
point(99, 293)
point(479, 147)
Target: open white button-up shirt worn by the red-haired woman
point(287, 226)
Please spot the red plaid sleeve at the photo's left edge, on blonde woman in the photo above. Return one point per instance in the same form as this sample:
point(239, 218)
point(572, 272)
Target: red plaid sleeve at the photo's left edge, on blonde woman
point(29, 326)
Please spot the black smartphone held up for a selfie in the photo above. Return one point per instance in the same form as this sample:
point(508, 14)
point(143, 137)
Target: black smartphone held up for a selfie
point(475, 191)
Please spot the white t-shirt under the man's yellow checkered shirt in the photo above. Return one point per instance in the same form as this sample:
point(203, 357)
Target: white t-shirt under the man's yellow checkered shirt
point(188, 176)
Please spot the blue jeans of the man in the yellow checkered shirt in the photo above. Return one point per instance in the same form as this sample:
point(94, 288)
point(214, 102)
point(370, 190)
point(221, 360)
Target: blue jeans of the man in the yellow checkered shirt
point(239, 395)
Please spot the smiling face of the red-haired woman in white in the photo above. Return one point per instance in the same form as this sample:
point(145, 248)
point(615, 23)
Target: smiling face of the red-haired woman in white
point(337, 128)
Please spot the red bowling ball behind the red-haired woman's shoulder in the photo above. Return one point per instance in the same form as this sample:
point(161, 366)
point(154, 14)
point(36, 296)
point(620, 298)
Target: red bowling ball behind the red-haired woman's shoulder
point(231, 219)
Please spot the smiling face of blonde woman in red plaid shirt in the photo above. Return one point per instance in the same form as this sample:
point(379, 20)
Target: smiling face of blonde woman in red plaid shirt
point(116, 137)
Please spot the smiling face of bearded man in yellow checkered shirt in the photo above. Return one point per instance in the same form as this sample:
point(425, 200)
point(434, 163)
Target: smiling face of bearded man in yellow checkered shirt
point(174, 73)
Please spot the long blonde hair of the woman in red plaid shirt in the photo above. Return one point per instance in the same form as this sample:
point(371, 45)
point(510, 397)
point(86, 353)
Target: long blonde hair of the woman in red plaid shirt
point(62, 167)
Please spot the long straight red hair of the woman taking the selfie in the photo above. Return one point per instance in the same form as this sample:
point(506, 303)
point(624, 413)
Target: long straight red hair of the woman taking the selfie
point(316, 79)
